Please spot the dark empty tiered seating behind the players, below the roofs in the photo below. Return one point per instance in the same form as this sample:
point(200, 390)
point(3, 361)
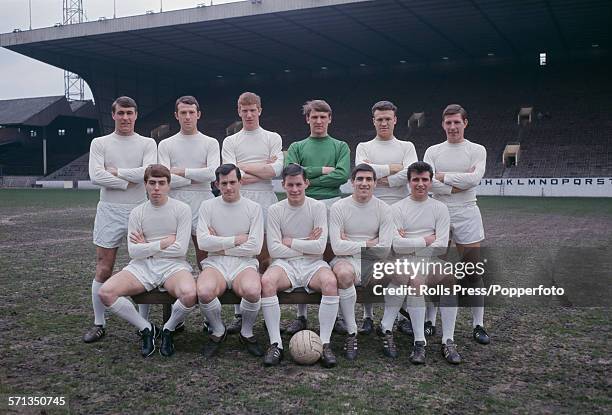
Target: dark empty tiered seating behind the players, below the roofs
point(568, 134)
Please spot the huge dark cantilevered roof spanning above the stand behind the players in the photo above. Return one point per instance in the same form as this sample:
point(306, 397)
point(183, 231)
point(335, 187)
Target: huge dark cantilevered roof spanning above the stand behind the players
point(239, 39)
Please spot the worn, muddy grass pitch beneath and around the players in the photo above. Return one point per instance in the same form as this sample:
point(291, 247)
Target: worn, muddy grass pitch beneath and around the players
point(542, 359)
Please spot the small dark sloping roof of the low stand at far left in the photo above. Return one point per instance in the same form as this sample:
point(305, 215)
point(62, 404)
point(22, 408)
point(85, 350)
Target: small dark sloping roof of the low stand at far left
point(41, 111)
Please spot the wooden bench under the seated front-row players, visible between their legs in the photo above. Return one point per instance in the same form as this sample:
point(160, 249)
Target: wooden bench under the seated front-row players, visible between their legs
point(299, 296)
